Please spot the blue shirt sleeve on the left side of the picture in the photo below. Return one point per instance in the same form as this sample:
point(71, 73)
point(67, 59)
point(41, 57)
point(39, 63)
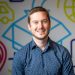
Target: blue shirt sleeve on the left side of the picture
point(18, 64)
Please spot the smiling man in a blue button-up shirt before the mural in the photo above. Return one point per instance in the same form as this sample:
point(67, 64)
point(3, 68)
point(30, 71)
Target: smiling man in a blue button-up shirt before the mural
point(41, 56)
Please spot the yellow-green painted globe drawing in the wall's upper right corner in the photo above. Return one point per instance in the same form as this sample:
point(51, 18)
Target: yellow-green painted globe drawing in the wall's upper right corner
point(70, 7)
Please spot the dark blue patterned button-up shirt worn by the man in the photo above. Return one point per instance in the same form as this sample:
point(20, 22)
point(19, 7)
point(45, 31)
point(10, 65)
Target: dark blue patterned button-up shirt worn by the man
point(31, 60)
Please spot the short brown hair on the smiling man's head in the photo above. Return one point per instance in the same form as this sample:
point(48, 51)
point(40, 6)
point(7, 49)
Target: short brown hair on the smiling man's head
point(37, 9)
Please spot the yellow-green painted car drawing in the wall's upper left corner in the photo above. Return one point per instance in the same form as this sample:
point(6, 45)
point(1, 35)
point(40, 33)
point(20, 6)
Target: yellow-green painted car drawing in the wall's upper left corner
point(5, 10)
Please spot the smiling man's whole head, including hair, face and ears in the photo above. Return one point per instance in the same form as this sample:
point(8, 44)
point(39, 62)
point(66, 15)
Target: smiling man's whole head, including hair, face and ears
point(39, 23)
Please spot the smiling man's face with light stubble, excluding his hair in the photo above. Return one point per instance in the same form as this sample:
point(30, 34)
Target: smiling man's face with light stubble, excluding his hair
point(39, 25)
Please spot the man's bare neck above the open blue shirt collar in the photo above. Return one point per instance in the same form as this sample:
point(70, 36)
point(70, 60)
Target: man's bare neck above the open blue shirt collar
point(41, 43)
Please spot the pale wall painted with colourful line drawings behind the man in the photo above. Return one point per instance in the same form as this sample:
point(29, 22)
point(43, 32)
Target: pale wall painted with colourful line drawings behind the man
point(14, 32)
